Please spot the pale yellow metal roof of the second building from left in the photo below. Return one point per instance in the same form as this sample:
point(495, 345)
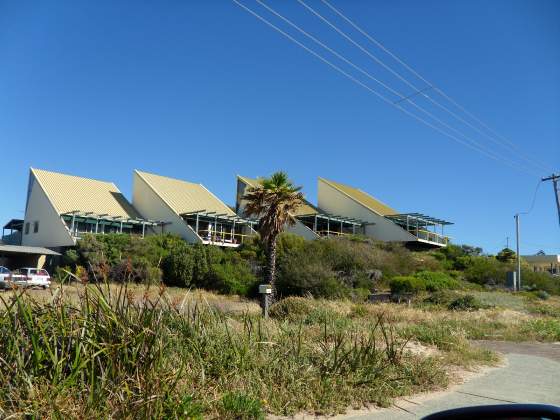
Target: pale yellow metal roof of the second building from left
point(185, 197)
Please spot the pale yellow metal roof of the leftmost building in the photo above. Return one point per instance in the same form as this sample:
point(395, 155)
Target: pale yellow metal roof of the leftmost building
point(70, 193)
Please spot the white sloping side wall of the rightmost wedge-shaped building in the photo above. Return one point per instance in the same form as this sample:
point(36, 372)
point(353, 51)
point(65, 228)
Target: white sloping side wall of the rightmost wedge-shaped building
point(335, 202)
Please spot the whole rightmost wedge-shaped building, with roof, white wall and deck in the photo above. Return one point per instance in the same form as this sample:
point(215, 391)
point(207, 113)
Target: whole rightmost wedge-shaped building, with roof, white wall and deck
point(381, 222)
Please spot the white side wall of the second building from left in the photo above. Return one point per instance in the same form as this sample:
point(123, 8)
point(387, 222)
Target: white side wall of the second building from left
point(151, 206)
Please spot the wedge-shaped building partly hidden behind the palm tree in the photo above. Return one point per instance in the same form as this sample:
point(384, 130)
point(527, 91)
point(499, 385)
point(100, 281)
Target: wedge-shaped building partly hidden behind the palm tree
point(311, 222)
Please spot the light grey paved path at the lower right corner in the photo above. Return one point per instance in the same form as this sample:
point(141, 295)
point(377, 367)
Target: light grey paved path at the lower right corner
point(532, 375)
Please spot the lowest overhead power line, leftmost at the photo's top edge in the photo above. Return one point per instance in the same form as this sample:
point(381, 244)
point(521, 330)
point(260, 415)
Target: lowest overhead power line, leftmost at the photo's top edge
point(382, 97)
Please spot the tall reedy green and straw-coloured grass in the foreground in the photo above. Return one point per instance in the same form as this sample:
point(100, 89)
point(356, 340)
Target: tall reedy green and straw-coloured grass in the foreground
point(108, 354)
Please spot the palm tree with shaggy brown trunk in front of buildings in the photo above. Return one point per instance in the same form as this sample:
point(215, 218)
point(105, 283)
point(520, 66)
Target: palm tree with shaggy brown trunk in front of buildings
point(273, 200)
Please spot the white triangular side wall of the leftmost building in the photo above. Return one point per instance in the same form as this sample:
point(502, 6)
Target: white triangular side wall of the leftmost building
point(52, 229)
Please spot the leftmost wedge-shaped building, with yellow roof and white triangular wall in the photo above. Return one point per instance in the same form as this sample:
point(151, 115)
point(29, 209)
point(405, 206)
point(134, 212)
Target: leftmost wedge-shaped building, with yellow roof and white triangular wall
point(60, 208)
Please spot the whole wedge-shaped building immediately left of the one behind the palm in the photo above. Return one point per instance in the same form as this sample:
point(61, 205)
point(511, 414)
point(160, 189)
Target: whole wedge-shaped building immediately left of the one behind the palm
point(190, 210)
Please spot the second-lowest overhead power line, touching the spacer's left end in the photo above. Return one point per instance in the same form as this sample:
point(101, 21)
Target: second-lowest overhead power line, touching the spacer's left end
point(367, 74)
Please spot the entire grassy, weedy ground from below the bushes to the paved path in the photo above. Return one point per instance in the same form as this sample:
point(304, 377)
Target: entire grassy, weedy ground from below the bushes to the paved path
point(135, 351)
